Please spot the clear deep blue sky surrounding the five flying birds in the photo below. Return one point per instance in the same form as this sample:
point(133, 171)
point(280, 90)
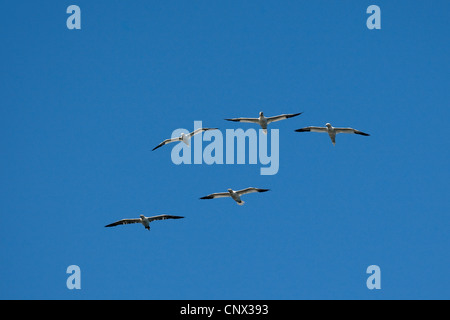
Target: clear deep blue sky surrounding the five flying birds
point(82, 109)
